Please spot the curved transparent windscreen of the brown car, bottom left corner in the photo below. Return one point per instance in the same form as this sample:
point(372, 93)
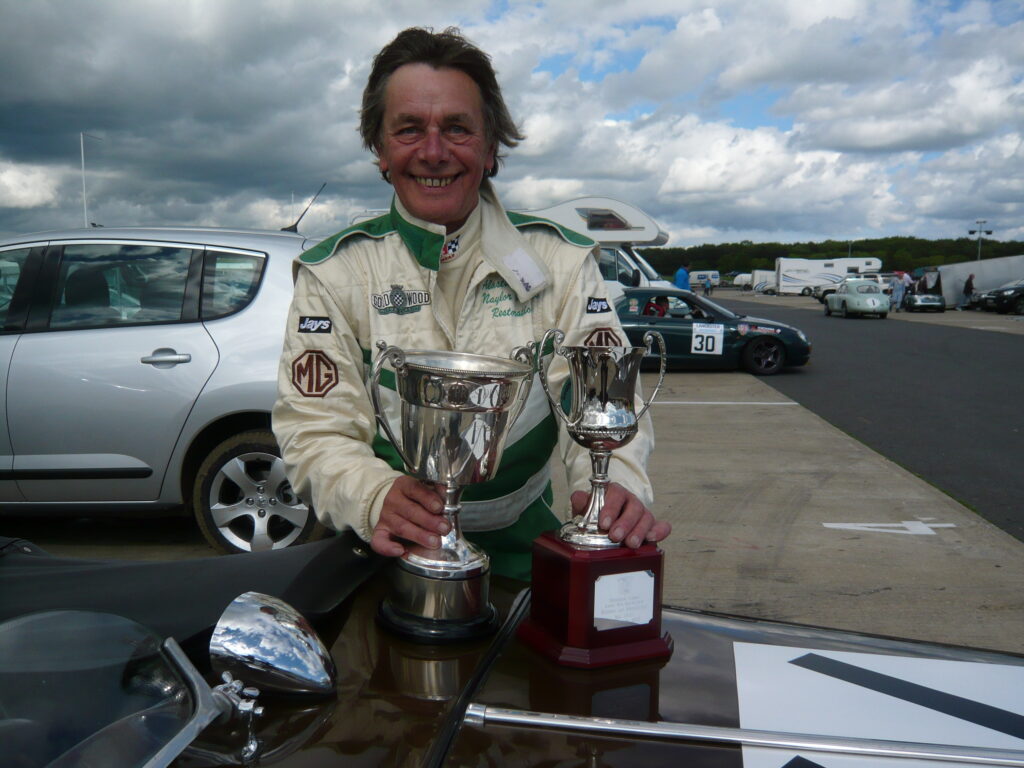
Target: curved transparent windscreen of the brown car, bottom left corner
point(115, 698)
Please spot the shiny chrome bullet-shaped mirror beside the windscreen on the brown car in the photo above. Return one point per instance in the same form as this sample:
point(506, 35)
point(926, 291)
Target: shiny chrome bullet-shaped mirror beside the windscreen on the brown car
point(268, 644)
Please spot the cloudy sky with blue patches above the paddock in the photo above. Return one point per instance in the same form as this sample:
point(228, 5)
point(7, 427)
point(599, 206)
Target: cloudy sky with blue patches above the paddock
point(728, 120)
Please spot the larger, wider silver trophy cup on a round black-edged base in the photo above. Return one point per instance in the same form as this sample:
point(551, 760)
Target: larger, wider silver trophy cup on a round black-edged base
point(456, 413)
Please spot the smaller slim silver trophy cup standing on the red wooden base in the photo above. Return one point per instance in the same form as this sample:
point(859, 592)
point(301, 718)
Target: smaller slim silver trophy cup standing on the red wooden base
point(603, 416)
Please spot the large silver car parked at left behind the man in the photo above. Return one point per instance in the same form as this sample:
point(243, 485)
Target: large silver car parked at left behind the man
point(141, 368)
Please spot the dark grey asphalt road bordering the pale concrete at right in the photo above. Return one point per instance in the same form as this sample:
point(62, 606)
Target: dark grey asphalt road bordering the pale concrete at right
point(944, 402)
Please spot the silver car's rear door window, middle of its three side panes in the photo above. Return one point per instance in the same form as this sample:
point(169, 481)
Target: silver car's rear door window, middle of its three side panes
point(120, 284)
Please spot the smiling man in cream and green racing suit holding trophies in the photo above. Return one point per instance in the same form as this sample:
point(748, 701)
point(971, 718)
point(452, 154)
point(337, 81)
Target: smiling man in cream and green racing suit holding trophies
point(447, 269)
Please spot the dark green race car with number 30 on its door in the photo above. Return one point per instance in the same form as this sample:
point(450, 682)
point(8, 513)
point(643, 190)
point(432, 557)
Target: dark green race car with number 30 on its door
point(701, 334)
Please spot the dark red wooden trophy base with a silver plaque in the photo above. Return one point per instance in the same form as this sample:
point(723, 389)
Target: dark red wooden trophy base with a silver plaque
point(595, 608)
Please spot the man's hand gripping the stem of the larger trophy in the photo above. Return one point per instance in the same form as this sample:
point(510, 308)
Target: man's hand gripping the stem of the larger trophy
point(411, 514)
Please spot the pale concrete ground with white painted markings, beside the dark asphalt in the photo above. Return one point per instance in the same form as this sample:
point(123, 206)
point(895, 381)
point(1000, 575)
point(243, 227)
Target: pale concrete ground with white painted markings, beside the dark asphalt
point(777, 515)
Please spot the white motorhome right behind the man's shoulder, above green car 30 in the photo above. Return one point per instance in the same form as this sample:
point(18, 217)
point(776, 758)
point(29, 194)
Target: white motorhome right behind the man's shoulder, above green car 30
point(619, 228)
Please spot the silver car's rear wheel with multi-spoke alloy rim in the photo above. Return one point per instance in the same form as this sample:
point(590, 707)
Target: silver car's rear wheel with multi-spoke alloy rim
point(243, 502)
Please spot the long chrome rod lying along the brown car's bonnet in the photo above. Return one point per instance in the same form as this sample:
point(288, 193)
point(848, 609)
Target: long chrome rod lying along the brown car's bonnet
point(481, 715)
